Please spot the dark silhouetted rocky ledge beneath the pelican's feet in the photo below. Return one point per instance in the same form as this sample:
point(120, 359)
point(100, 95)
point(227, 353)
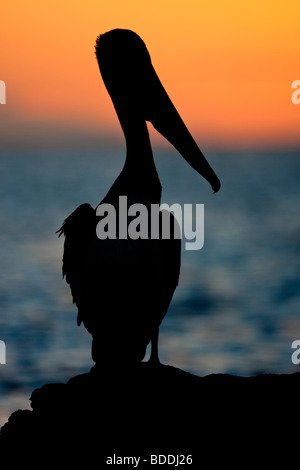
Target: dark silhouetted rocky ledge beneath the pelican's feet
point(105, 415)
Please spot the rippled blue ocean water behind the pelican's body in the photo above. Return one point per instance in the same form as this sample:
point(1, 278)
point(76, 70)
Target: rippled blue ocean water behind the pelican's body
point(237, 307)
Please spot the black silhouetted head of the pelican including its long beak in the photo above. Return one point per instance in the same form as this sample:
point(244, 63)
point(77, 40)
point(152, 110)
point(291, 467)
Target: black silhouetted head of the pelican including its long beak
point(137, 94)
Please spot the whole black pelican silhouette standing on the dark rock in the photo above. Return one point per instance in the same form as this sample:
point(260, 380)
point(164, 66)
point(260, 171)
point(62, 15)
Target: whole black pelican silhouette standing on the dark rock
point(123, 287)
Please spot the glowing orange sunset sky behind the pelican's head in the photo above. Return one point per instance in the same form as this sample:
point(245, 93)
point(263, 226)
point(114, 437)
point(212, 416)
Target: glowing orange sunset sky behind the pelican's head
point(227, 65)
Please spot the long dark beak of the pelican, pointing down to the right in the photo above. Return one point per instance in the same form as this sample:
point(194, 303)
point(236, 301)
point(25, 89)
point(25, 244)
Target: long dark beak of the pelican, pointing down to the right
point(166, 120)
